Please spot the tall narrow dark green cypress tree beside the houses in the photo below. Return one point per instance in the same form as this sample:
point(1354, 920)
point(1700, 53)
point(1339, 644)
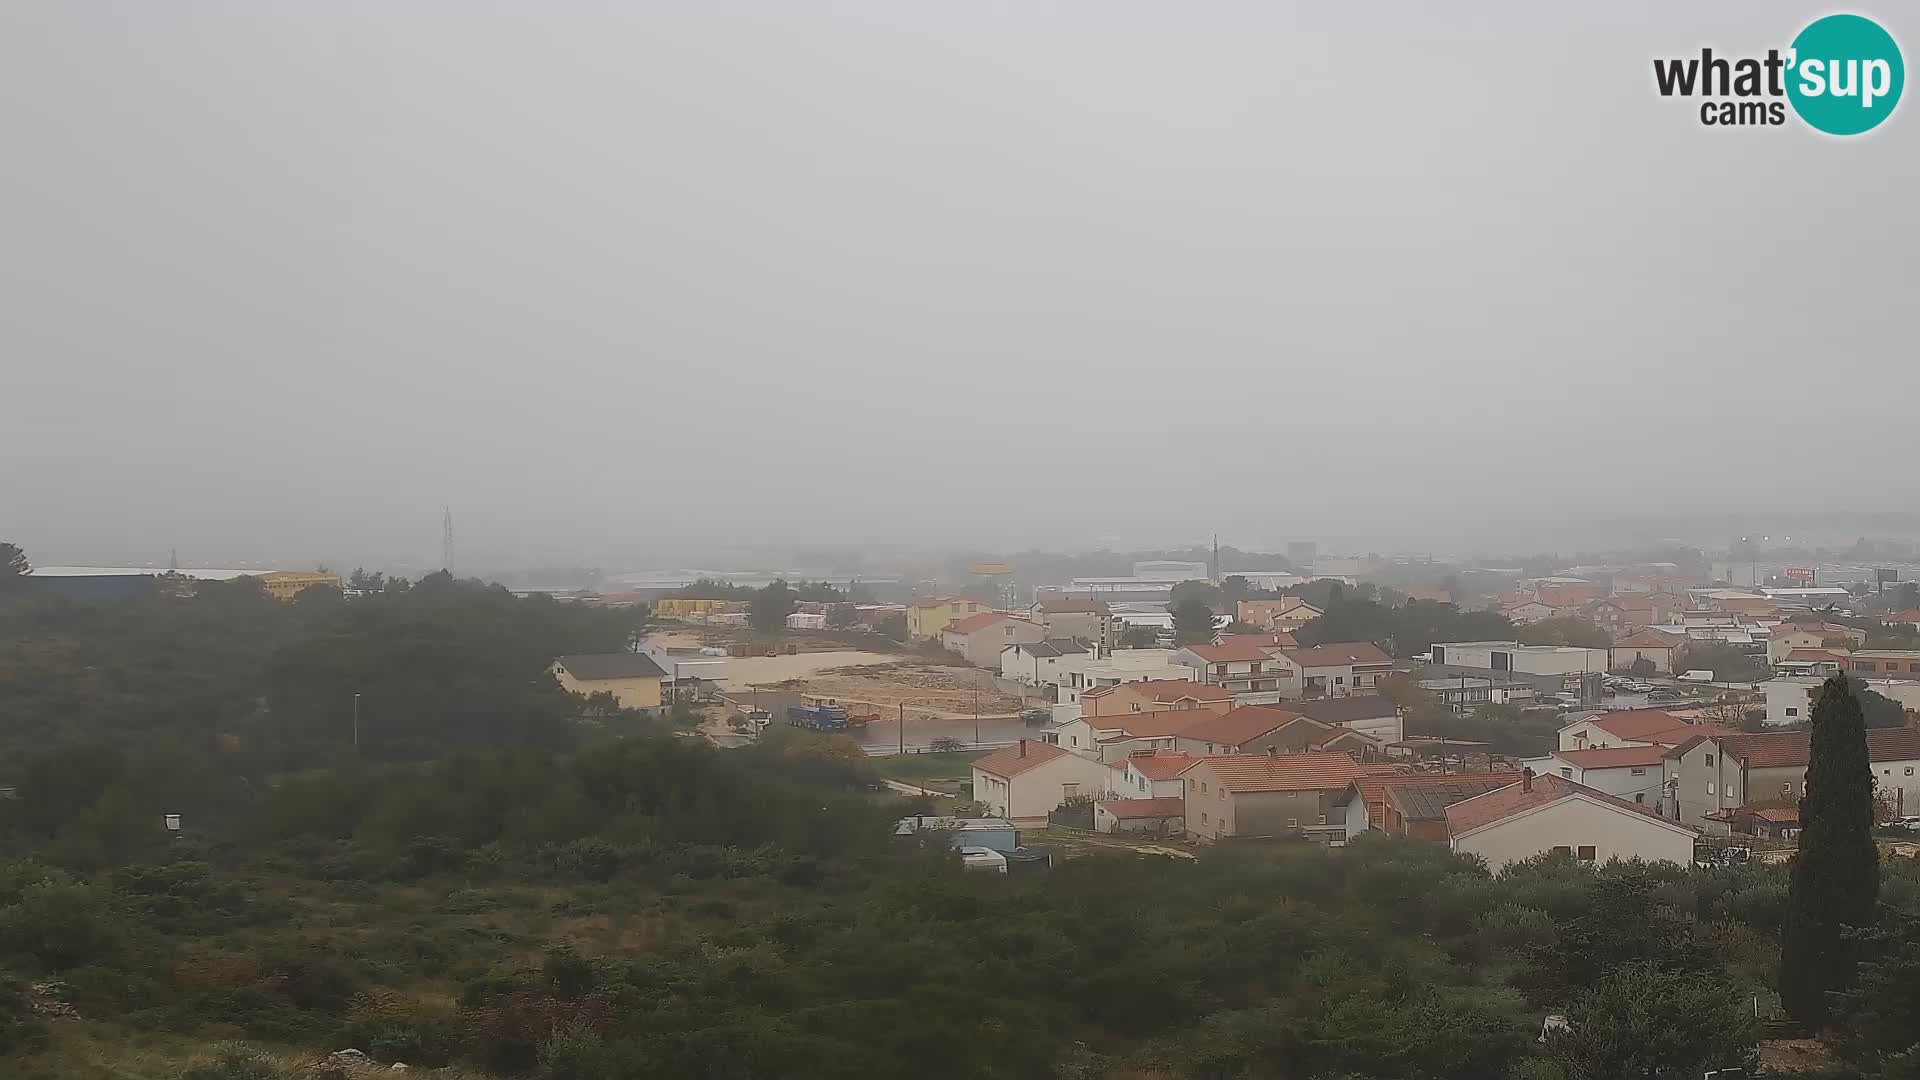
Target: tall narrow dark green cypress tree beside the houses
point(1836, 875)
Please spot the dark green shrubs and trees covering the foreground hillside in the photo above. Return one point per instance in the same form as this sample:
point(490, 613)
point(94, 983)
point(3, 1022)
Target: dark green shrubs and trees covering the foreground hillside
point(510, 883)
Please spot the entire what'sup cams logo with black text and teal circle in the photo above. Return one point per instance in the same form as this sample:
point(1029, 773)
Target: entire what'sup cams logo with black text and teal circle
point(1842, 76)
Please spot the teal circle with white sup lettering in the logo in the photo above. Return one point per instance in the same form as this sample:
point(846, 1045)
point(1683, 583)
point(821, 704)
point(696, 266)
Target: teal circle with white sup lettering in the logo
point(1846, 74)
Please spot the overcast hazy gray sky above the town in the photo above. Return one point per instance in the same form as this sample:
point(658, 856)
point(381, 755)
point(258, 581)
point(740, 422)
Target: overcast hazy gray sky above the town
point(285, 280)
